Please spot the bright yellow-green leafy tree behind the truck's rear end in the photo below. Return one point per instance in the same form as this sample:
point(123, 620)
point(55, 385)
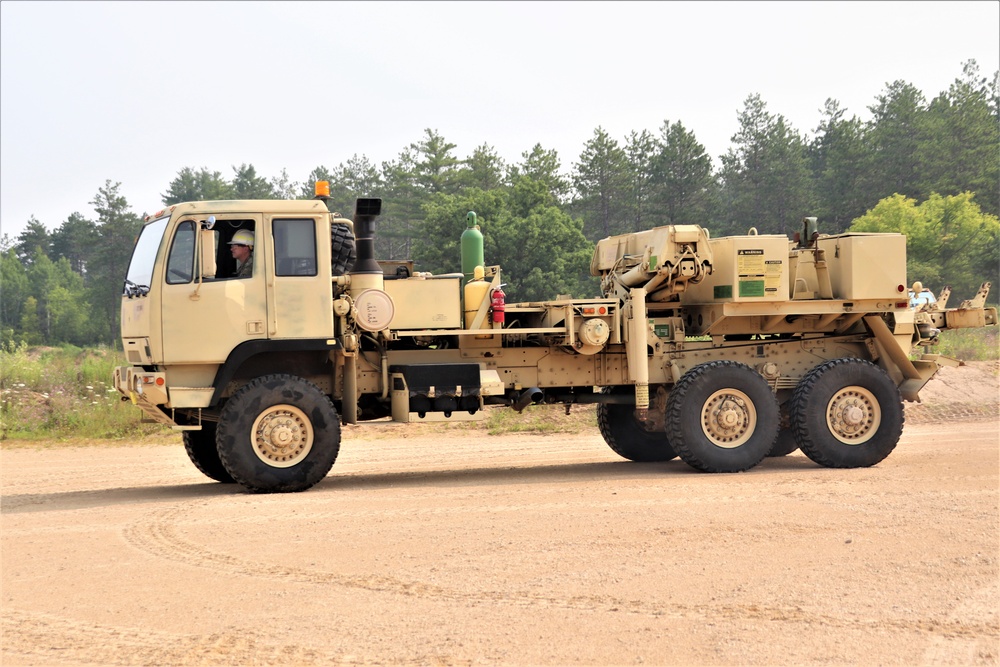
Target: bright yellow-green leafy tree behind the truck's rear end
point(949, 240)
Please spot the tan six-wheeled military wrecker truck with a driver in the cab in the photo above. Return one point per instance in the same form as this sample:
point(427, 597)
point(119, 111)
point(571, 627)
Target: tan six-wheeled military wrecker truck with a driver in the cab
point(721, 351)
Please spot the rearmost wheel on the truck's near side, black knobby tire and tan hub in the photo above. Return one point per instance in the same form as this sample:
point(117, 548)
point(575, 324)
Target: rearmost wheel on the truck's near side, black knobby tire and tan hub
point(847, 413)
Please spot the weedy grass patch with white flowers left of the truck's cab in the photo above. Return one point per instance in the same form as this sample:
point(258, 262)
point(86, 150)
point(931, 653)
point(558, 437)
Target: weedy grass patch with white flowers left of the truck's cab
point(54, 394)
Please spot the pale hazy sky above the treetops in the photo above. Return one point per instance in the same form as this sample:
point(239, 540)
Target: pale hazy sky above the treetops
point(135, 91)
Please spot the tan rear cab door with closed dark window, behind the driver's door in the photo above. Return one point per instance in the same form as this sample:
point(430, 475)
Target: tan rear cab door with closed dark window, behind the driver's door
point(300, 295)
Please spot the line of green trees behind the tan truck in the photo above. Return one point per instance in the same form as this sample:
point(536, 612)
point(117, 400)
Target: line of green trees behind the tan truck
point(927, 168)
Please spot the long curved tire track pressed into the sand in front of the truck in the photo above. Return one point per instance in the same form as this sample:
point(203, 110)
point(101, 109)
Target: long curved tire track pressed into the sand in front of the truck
point(156, 534)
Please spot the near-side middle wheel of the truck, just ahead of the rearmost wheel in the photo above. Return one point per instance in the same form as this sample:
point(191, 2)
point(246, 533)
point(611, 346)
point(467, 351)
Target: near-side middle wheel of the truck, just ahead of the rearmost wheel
point(722, 417)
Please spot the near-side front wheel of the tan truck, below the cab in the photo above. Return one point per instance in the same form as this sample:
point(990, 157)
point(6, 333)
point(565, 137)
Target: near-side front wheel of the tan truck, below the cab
point(278, 433)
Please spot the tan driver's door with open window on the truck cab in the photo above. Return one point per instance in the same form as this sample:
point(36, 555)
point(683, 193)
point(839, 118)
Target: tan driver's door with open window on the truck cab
point(203, 322)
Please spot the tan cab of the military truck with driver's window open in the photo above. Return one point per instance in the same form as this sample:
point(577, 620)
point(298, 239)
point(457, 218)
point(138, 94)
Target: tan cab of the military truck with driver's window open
point(187, 316)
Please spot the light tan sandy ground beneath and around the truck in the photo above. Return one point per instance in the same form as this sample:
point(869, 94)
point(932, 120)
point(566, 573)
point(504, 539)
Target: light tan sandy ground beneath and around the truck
point(448, 547)
